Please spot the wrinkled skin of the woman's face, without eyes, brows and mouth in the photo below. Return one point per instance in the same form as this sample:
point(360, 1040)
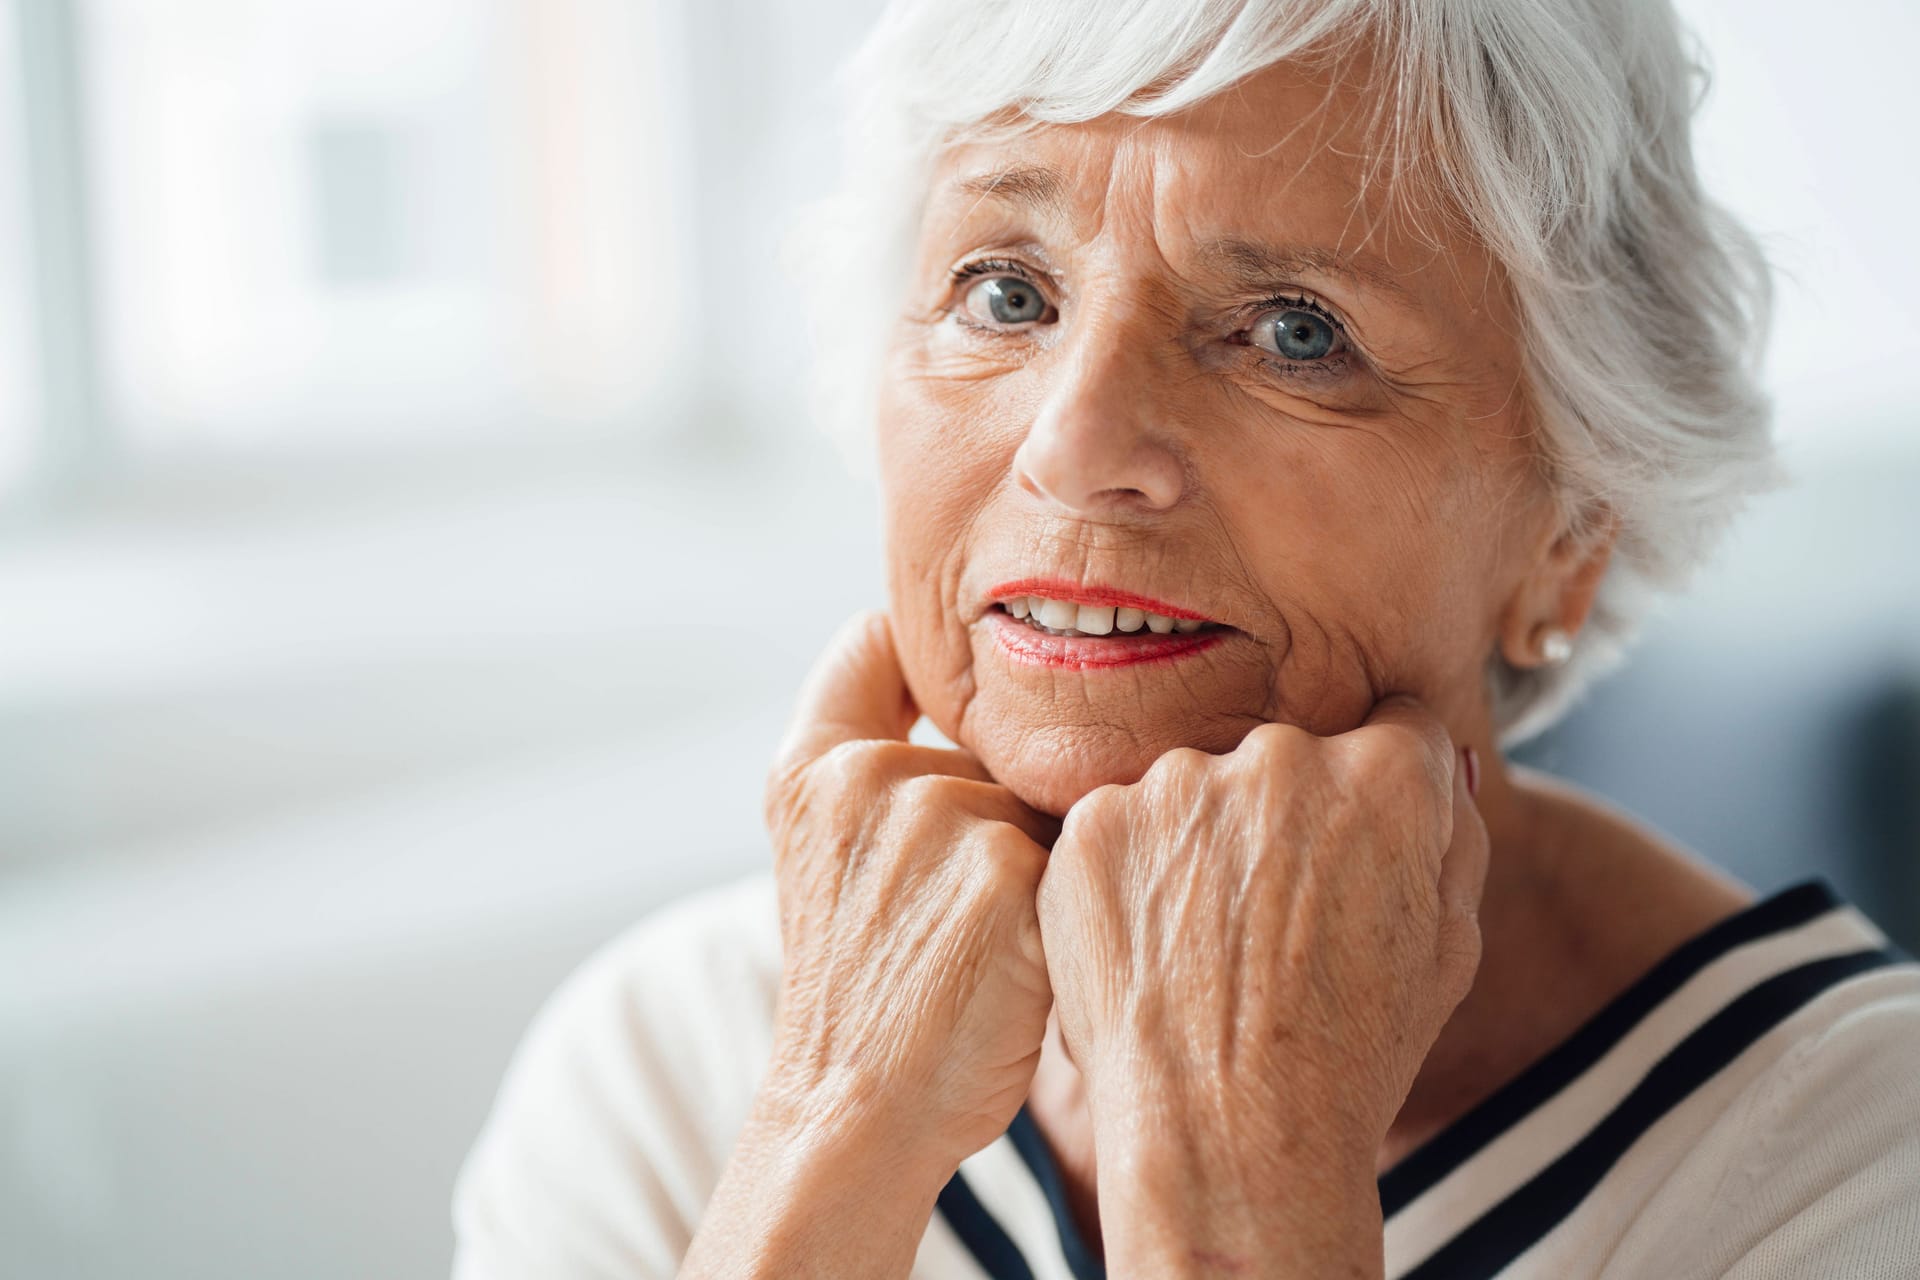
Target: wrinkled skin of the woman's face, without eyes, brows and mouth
point(1366, 523)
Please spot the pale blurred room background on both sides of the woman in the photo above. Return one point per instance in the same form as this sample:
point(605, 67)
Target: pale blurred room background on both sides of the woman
point(412, 536)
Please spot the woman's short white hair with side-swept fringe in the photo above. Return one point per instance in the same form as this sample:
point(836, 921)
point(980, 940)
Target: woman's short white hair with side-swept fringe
point(1558, 128)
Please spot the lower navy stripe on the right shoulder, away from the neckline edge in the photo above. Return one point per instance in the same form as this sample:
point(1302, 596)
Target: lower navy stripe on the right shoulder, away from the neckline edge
point(1531, 1212)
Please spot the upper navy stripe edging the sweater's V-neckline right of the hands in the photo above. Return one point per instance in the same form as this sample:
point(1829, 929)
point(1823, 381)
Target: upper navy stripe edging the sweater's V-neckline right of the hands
point(1466, 1137)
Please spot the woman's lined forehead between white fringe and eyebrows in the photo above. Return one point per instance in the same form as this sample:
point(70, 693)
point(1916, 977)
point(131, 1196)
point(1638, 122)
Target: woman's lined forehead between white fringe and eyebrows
point(1289, 156)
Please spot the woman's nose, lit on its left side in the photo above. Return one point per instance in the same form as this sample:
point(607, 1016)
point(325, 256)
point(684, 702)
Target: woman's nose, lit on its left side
point(1099, 444)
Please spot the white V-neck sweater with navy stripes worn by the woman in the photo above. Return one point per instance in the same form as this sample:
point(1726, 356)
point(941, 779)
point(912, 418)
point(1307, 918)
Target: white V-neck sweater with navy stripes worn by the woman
point(1748, 1110)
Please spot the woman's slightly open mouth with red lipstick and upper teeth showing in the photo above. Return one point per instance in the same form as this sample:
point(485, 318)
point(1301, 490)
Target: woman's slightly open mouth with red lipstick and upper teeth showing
point(1061, 625)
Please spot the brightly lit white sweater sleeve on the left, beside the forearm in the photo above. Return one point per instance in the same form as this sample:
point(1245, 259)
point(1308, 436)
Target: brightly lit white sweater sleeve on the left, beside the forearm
point(623, 1101)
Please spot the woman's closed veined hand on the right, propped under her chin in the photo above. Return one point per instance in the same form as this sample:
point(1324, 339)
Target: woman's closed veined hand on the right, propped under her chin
point(1255, 953)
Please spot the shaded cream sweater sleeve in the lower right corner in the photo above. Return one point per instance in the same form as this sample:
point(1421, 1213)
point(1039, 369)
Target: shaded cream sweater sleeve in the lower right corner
point(1831, 1183)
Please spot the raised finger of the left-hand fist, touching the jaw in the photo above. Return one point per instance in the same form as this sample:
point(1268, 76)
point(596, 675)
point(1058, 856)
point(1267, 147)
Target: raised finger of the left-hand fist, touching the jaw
point(855, 692)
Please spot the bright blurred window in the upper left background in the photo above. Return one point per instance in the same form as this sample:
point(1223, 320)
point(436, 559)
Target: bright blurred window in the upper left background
point(366, 224)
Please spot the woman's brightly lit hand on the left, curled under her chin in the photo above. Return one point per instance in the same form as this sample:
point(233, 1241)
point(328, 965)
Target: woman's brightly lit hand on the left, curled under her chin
point(915, 991)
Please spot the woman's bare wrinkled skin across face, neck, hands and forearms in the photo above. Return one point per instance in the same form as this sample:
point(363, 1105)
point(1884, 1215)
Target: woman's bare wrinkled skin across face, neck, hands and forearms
point(1247, 962)
